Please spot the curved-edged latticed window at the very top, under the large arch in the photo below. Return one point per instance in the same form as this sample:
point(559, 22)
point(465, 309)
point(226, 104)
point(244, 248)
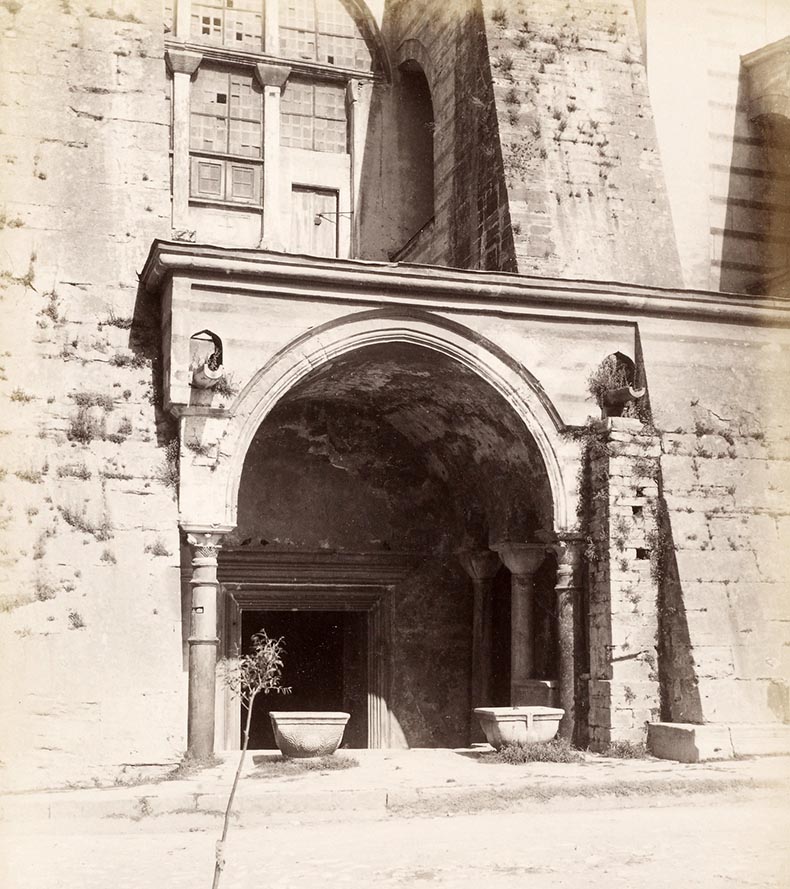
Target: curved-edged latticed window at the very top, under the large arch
point(323, 31)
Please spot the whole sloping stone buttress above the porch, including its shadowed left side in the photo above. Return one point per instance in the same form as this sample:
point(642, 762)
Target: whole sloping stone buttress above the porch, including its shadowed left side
point(546, 156)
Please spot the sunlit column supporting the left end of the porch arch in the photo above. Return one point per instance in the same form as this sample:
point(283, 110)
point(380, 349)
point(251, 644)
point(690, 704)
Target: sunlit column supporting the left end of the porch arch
point(202, 640)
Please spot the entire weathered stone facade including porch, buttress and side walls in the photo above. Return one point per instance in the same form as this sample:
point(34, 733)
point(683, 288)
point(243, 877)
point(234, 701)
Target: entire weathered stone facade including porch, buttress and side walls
point(556, 171)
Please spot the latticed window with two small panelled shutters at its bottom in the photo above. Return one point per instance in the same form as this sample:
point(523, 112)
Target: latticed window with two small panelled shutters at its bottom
point(226, 137)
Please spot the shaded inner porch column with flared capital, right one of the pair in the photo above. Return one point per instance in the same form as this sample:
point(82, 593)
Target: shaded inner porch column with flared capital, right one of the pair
point(522, 560)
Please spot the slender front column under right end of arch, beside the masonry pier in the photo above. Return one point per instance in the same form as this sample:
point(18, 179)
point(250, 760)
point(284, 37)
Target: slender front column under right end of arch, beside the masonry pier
point(569, 564)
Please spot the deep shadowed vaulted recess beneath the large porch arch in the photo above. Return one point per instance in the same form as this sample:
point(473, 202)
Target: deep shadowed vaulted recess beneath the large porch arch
point(387, 453)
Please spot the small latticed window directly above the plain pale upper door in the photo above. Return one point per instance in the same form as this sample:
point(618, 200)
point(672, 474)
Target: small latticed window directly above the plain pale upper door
point(313, 116)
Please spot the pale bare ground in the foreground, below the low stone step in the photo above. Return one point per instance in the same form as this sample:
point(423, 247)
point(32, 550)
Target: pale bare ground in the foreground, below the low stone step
point(729, 840)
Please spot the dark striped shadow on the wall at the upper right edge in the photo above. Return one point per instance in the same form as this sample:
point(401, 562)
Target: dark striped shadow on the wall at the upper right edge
point(755, 244)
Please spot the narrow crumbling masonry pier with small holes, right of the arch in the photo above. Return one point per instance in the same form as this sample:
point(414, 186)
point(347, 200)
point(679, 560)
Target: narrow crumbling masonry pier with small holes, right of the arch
point(621, 501)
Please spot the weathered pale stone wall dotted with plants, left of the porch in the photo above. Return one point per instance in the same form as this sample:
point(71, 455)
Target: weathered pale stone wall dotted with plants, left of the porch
point(91, 621)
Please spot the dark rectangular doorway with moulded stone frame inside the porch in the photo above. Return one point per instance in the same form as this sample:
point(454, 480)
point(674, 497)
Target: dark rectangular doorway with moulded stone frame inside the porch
point(334, 612)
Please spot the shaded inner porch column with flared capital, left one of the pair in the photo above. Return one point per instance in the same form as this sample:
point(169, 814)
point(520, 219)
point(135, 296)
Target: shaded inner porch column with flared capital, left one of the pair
point(481, 565)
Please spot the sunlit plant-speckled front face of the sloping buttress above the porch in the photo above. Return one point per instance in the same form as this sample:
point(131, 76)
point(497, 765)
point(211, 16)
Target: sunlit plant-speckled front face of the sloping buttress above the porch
point(582, 169)
